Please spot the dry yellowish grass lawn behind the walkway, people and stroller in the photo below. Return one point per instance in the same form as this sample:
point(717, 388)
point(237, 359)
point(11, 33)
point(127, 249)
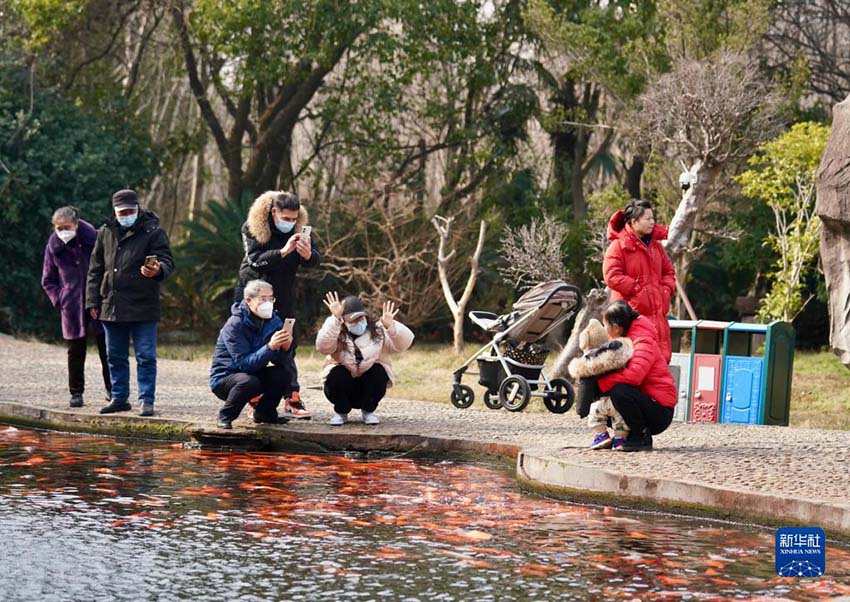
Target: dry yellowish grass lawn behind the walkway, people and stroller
point(820, 390)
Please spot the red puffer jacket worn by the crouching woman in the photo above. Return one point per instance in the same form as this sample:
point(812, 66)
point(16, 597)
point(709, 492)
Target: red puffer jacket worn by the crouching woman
point(647, 370)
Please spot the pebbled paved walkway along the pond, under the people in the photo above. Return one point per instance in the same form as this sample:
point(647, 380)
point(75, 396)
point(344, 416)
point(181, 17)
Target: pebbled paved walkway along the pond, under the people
point(772, 473)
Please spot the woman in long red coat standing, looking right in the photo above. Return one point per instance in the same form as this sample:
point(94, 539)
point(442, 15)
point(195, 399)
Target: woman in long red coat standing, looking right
point(637, 269)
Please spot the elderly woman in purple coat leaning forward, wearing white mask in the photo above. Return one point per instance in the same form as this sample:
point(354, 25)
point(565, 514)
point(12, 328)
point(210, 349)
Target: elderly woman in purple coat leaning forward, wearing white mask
point(66, 266)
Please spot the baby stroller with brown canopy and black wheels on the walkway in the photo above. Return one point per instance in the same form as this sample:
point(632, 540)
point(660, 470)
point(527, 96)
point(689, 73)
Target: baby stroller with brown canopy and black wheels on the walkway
point(510, 366)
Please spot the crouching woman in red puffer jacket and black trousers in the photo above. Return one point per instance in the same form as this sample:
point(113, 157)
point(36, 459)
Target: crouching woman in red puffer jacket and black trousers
point(643, 392)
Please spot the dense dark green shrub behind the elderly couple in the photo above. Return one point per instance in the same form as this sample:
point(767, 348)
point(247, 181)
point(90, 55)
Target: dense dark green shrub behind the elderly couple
point(53, 154)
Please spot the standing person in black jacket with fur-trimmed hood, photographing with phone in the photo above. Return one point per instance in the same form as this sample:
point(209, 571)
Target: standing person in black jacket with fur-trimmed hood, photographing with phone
point(274, 250)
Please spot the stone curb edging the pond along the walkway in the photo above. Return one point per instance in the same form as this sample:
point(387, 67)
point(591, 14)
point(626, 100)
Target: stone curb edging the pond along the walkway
point(537, 472)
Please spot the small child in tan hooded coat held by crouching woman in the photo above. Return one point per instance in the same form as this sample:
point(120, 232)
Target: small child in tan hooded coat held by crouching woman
point(601, 356)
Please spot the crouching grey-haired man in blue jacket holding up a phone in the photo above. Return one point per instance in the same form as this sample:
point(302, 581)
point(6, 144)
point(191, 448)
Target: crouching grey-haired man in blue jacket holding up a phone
point(251, 339)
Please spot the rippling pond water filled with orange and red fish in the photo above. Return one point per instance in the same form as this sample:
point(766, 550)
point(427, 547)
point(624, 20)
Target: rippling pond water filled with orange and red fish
point(86, 518)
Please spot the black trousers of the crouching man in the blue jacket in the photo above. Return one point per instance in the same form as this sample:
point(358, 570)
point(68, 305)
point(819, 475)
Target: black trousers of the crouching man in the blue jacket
point(272, 382)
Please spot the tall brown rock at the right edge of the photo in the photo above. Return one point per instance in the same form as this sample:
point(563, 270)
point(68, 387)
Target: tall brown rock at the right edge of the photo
point(833, 207)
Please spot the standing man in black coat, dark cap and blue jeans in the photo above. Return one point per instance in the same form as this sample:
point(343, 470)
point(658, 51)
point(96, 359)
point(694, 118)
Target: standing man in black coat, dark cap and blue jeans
point(131, 258)
